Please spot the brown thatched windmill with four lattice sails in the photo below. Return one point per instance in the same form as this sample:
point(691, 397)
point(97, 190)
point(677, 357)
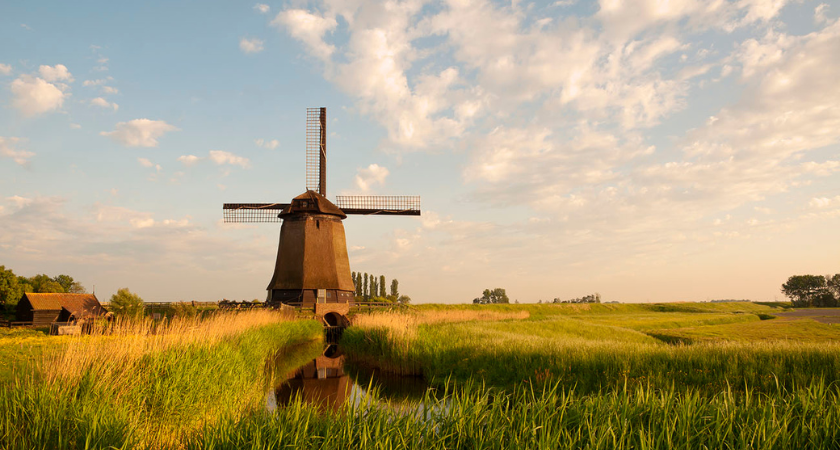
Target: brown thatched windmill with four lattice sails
point(312, 265)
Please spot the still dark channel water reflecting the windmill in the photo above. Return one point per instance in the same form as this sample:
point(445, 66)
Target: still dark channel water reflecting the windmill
point(329, 382)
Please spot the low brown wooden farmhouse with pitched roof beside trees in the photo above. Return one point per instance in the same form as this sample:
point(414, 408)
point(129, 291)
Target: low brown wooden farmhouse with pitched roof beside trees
point(44, 309)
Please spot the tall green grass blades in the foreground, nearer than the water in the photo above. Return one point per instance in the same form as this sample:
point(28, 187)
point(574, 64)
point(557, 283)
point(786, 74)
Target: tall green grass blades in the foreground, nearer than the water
point(477, 417)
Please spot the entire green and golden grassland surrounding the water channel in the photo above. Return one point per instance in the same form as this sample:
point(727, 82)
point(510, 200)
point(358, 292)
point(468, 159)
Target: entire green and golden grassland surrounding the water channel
point(657, 376)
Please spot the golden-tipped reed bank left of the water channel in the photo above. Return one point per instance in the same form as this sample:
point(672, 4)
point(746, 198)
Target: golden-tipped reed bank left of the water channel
point(147, 385)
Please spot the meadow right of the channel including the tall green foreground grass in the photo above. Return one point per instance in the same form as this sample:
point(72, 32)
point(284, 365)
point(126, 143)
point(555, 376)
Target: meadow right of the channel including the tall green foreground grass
point(672, 376)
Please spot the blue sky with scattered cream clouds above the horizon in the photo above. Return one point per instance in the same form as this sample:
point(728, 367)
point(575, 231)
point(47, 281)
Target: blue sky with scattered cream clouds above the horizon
point(649, 150)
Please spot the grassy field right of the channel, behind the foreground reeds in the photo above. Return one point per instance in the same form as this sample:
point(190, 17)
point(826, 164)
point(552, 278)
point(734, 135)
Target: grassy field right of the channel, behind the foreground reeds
point(600, 347)
